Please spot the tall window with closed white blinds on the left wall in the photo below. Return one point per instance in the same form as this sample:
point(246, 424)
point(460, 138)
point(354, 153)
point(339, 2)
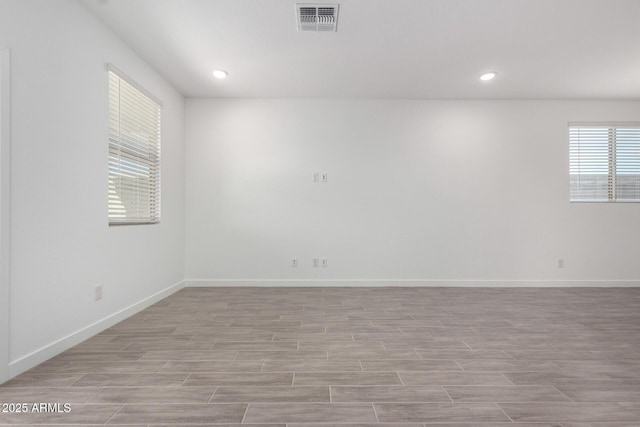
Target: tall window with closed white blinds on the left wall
point(134, 152)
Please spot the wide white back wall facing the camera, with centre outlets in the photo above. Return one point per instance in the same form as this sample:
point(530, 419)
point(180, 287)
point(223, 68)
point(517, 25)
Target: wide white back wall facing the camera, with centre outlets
point(417, 192)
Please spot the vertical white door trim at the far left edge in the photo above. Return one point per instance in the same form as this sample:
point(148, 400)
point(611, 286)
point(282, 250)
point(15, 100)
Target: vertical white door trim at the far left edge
point(5, 212)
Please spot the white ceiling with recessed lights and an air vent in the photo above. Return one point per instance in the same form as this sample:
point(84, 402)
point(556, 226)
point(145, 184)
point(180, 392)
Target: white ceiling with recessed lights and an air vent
point(541, 49)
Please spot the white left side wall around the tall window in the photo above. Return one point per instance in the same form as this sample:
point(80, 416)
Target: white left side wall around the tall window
point(62, 245)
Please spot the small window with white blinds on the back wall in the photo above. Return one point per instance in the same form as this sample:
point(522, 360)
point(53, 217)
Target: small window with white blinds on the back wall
point(604, 163)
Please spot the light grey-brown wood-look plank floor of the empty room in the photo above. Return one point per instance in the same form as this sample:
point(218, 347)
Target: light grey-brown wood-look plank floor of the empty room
point(310, 357)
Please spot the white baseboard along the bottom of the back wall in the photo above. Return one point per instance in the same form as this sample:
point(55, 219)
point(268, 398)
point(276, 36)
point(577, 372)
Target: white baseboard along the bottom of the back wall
point(411, 282)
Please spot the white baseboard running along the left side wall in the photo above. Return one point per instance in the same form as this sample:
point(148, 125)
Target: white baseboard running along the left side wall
point(45, 353)
